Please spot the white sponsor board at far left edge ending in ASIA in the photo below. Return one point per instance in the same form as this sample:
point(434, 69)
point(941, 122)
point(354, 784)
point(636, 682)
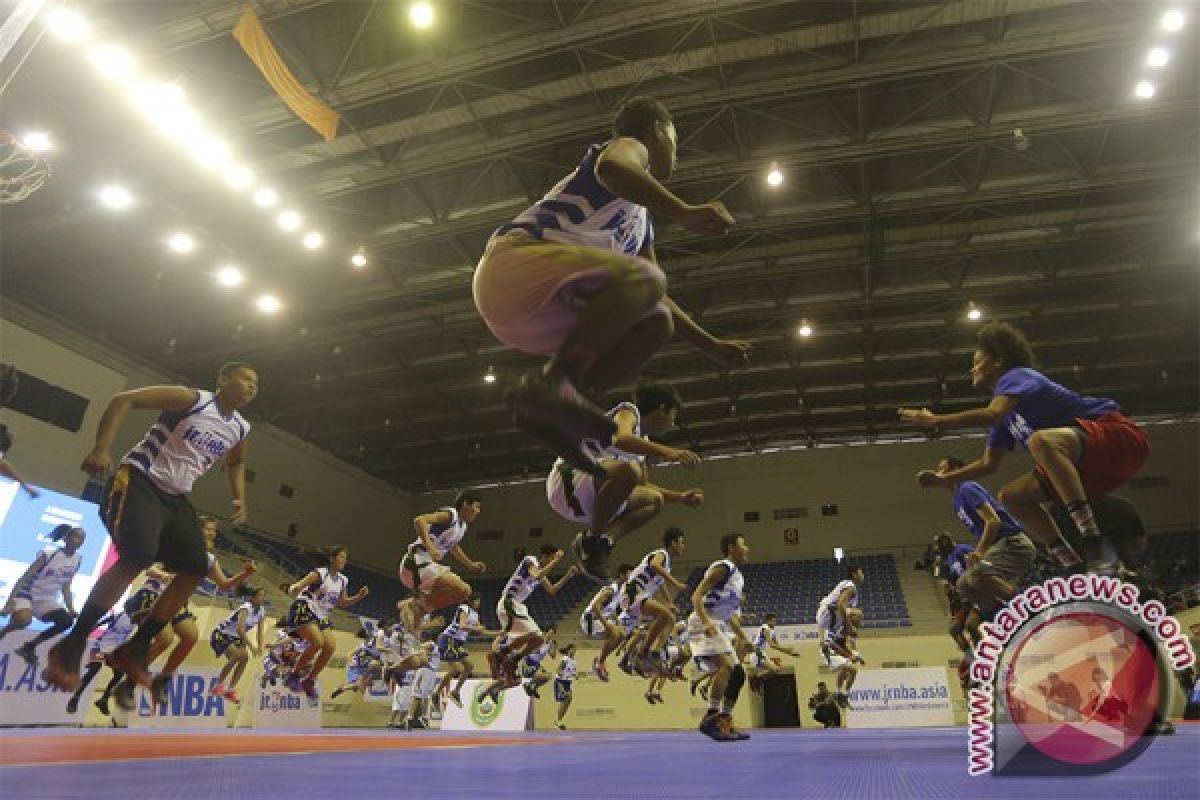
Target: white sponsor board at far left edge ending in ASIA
point(25, 697)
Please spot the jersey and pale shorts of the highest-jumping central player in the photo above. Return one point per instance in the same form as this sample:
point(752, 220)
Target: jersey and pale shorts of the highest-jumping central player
point(537, 272)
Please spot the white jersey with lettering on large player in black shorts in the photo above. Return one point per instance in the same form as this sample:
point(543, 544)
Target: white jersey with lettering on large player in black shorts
point(184, 446)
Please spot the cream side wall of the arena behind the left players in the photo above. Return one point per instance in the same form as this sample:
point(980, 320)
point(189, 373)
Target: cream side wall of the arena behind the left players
point(332, 502)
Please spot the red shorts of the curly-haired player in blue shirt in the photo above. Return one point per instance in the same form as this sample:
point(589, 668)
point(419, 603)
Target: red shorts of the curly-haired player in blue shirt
point(1114, 453)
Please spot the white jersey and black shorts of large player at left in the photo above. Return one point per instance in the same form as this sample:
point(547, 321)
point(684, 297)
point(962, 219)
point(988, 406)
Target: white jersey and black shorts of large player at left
point(147, 510)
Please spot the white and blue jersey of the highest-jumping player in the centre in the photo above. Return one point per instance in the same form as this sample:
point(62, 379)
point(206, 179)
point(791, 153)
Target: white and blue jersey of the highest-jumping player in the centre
point(581, 212)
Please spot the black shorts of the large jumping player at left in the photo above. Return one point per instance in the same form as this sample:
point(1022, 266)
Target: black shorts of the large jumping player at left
point(151, 526)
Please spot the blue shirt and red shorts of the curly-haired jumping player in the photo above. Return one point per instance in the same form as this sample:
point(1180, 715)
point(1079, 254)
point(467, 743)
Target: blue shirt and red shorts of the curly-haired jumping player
point(1117, 448)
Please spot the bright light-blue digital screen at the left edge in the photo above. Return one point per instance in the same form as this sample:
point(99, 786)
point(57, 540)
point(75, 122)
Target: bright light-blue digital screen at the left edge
point(26, 526)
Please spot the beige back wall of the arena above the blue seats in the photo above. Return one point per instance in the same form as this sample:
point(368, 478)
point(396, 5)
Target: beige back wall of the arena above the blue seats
point(873, 486)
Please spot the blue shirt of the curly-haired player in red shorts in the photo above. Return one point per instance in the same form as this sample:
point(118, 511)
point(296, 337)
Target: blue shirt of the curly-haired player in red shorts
point(1041, 405)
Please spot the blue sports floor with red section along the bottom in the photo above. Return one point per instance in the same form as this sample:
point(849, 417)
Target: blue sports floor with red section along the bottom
point(823, 765)
